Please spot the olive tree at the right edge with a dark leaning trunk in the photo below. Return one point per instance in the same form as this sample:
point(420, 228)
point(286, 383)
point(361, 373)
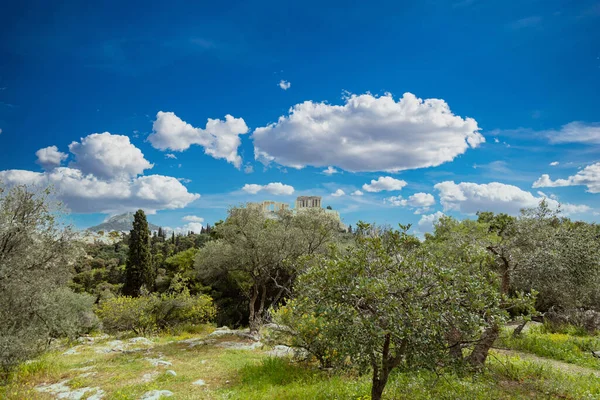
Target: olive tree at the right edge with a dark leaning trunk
point(542, 260)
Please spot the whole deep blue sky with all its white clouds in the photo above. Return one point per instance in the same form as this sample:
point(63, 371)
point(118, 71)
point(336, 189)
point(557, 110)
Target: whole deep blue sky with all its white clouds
point(496, 91)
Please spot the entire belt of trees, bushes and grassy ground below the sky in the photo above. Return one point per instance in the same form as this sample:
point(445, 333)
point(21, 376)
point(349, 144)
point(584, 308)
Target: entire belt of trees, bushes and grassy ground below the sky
point(316, 313)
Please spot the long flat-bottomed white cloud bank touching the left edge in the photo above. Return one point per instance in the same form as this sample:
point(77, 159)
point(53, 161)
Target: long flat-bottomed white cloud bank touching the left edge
point(85, 193)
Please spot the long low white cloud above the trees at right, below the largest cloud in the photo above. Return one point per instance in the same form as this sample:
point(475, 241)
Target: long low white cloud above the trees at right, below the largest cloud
point(468, 198)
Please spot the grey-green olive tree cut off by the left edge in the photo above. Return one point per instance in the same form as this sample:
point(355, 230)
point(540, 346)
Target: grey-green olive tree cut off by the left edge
point(36, 258)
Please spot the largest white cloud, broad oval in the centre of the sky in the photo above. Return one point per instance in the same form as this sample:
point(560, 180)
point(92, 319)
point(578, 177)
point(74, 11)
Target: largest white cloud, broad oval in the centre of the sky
point(367, 133)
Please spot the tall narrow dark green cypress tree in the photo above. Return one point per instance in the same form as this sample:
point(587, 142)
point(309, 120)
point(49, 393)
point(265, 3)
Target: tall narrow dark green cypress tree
point(138, 269)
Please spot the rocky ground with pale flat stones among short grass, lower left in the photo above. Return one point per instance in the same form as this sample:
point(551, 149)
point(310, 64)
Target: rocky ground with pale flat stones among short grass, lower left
point(103, 367)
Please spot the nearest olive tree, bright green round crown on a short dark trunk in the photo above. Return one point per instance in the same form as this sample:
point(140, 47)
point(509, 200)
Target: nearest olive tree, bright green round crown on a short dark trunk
point(389, 302)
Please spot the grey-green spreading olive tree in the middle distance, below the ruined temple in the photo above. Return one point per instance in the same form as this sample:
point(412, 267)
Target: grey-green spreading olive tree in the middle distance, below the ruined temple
point(258, 251)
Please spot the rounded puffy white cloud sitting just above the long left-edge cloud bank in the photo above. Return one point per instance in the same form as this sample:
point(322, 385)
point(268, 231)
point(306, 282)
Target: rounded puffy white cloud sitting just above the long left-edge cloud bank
point(108, 156)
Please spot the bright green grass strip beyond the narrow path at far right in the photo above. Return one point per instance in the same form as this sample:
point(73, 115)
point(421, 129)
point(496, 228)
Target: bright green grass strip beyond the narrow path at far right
point(558, 346)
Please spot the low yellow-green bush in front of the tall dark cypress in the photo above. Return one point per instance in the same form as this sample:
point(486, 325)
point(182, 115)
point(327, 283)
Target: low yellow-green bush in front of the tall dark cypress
point(153, 312)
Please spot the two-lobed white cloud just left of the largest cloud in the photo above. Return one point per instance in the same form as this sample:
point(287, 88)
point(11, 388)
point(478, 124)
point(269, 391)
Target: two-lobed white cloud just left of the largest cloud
point(219, 138)
